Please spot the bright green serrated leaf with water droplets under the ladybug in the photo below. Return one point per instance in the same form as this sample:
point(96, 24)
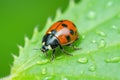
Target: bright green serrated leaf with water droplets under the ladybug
point(98, 23)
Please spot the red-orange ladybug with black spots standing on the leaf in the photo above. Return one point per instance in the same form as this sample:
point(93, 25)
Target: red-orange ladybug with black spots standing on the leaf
point(61, 33)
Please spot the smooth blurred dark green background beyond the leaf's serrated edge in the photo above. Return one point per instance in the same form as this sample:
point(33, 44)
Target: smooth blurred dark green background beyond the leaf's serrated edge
point(18, 19)
